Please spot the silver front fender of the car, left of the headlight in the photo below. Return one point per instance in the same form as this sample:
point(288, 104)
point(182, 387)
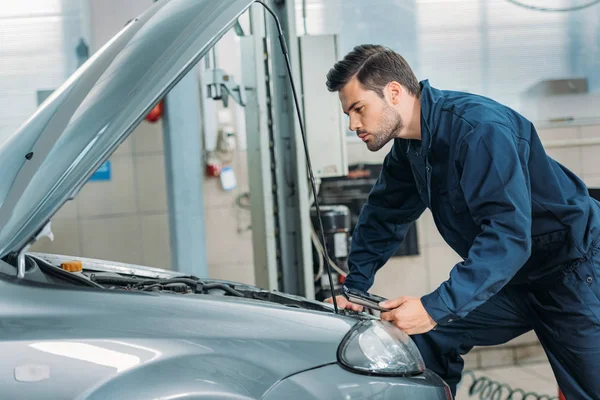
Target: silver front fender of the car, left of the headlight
point(94, 341)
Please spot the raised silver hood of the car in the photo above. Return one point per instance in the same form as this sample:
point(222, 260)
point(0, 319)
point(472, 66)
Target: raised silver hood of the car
point(75, 130)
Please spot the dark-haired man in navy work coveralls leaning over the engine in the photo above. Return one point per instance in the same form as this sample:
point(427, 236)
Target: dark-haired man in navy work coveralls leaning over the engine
point(525, 226)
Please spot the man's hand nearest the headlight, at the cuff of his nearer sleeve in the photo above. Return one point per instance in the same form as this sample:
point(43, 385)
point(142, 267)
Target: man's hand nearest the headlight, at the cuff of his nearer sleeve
point(408, 314)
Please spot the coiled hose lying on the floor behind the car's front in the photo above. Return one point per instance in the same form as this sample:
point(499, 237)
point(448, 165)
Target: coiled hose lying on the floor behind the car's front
point(489, 389)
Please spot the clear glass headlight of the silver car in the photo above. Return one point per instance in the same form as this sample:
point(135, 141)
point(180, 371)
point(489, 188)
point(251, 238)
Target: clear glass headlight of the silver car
point(379, 348)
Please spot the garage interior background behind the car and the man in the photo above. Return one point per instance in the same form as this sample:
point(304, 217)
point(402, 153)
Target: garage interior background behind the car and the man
point(238, 205)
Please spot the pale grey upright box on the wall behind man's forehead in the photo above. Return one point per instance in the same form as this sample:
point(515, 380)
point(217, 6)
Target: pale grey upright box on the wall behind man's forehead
point(323, 115)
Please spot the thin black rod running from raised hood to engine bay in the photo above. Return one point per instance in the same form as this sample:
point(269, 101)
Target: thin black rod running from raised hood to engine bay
point(303, 133)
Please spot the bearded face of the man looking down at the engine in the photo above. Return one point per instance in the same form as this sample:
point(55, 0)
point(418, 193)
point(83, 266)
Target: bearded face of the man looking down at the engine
point(373, 119)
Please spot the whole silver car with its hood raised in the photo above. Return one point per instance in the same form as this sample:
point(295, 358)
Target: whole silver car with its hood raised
point(73, 328)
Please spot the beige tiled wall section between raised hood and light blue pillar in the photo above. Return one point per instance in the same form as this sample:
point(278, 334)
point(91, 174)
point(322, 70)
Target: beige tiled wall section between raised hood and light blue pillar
point(110, 220)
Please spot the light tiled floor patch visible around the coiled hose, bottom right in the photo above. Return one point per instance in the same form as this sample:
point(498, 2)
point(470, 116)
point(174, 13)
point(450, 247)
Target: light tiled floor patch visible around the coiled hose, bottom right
point(531, 377)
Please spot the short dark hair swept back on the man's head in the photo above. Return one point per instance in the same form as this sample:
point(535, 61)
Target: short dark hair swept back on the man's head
point(374, 66)
